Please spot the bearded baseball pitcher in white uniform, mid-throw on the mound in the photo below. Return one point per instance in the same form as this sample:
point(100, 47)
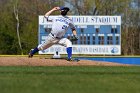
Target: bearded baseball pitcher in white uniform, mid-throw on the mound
point(60, 25)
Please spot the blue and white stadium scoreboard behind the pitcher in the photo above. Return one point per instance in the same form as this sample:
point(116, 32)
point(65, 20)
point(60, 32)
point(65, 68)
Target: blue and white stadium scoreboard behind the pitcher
point(99, 35)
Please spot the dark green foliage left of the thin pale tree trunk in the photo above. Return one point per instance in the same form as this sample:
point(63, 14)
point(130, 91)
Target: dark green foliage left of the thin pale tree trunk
point(7, 33)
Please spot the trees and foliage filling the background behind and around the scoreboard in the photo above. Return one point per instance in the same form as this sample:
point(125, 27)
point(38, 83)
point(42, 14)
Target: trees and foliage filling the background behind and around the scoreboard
point(28, 11)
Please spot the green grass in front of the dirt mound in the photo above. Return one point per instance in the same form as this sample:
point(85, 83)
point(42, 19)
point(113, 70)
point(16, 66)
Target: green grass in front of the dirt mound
point(71, 79)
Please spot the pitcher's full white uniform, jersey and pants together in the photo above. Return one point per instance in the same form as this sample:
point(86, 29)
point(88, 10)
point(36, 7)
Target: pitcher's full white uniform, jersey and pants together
point(60, 25)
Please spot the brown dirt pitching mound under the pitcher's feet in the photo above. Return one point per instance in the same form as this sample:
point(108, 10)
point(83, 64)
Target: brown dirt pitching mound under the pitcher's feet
point(37, 61)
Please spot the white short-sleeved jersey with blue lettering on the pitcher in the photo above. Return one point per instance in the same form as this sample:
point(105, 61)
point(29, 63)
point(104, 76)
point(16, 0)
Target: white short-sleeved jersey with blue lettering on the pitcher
point(60, 25)
